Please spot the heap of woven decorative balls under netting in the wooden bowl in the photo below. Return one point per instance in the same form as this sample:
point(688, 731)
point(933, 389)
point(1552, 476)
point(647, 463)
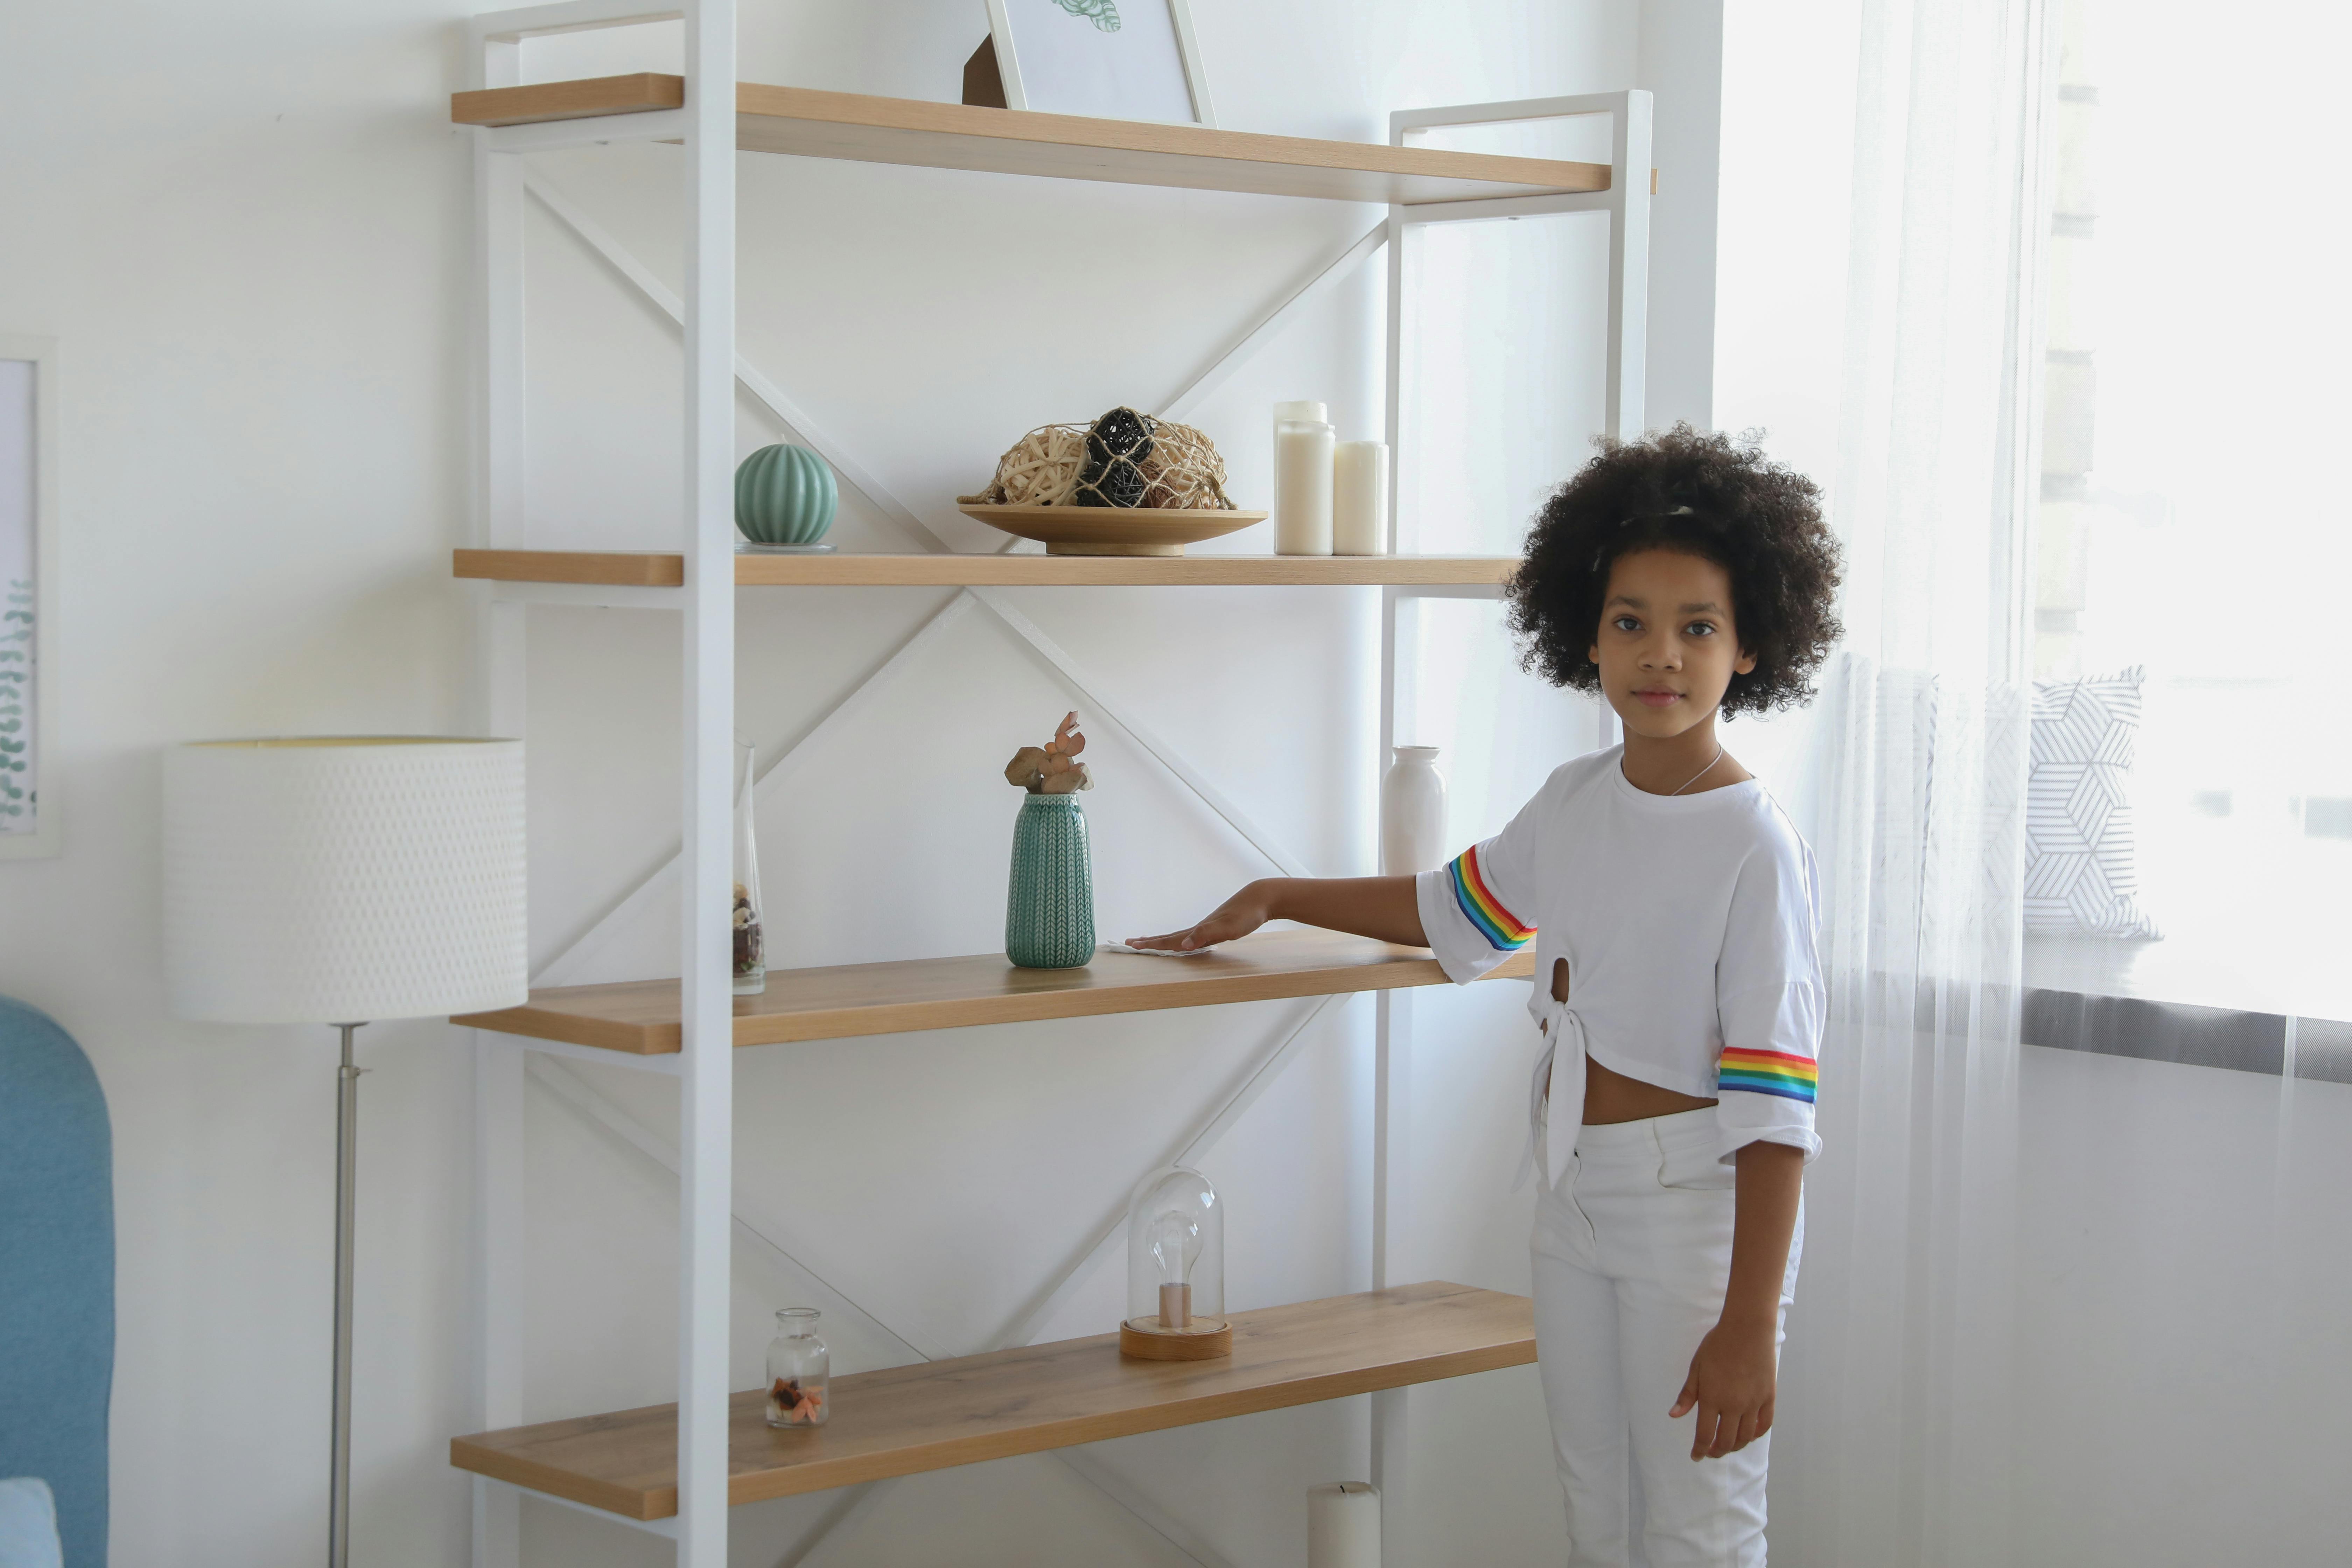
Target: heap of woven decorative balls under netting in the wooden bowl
point(1123, 460)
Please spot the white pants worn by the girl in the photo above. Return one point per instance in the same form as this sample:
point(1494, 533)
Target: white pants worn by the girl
point(1633, 1252)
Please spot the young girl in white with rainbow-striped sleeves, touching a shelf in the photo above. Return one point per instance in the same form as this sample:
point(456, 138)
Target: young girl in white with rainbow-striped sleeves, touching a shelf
point(1673, 909)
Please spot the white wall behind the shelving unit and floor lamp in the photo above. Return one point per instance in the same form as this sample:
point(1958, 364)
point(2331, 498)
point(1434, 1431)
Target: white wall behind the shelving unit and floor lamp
point(248, 225)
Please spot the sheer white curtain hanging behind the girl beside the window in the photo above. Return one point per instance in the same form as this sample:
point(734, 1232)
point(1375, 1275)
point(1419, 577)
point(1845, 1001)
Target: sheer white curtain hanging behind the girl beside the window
point(1895, 1426)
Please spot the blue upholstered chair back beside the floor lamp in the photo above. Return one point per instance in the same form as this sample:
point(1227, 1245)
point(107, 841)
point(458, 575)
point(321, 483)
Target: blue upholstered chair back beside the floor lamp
point(58, 1275)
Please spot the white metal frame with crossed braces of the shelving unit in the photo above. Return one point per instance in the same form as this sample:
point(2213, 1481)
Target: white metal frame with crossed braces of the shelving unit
point(702, 1155)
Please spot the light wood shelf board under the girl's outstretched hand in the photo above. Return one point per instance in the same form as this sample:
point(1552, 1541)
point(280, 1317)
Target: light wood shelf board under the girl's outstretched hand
point(850, 1000)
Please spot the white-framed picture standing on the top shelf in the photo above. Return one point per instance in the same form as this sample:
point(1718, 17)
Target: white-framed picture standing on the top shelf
point(1057, 58)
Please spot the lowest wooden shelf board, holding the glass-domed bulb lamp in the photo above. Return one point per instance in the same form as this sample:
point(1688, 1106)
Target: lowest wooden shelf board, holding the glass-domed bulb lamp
point(942, 1414)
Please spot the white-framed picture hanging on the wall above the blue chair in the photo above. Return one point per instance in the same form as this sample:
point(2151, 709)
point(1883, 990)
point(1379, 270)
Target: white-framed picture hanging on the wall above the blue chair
point(29, 812)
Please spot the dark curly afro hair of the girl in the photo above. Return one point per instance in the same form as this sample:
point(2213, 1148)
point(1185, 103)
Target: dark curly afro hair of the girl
point(1704, 495)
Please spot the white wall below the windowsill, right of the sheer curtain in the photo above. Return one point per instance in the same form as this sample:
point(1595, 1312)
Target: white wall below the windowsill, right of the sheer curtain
point(2181, 1282)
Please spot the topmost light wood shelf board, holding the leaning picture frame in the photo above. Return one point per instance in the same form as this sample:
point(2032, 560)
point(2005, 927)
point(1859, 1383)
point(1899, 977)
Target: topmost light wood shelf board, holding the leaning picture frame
point(862, 128)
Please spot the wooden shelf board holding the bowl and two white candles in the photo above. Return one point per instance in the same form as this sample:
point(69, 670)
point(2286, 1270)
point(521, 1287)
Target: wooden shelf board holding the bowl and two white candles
point(996, 570)
